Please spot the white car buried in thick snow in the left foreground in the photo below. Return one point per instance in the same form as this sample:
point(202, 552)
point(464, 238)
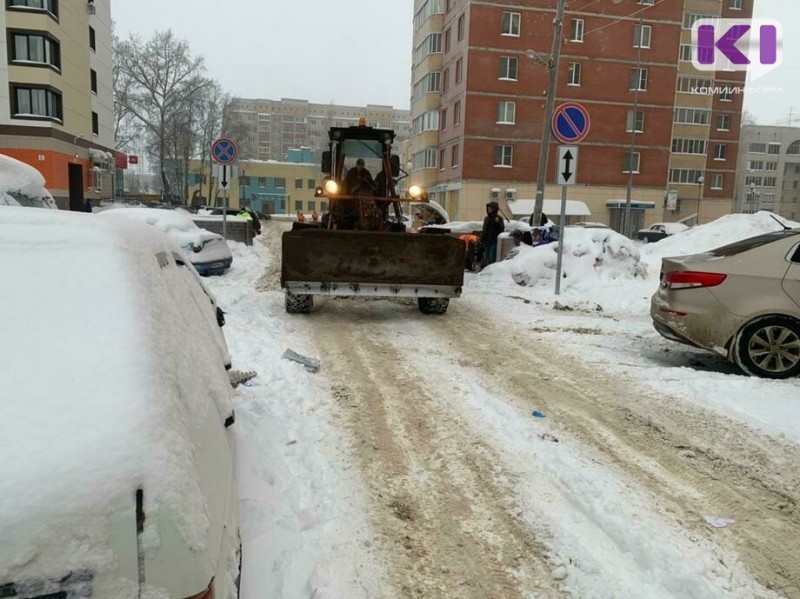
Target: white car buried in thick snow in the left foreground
point(116, 451)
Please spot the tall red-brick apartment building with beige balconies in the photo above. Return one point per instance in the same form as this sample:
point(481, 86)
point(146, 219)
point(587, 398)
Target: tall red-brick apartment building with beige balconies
point(479, 81)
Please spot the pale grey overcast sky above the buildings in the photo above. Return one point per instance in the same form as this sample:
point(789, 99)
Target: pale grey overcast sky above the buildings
point(358, 52)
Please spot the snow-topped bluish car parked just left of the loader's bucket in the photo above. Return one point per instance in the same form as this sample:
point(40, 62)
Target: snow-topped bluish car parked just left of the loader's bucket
point(208, 252)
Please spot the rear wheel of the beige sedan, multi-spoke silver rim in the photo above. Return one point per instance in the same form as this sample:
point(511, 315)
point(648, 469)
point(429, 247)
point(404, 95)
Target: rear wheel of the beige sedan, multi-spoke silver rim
point(769, 347)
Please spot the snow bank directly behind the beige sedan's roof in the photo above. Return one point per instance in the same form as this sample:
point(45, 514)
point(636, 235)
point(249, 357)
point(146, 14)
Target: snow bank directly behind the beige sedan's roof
point(726, 229)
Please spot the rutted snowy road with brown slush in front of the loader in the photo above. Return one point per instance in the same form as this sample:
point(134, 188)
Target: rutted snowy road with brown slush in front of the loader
point(456, 489)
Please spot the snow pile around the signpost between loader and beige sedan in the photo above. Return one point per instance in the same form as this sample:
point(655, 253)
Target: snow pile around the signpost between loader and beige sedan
point(591, 256)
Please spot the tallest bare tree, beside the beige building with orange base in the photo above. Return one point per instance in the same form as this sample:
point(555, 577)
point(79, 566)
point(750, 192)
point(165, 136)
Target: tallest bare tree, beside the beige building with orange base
point(161, 83)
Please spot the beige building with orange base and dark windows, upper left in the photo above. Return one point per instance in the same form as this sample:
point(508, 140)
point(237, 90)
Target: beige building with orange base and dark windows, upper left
point(56, 100)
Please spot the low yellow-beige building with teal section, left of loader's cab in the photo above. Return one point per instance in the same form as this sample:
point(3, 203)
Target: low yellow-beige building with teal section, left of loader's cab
point(266, 186)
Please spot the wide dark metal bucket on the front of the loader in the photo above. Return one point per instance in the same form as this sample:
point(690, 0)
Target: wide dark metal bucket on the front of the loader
point(379, 264)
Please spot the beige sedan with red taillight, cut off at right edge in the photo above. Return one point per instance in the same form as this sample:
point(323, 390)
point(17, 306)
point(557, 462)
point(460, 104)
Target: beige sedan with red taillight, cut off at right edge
point(741, 301)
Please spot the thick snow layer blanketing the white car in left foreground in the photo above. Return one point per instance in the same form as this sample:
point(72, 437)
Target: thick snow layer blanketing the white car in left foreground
point(99, 385)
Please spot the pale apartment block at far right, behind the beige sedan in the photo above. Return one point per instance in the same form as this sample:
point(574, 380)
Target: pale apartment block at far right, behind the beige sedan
point(769, 170)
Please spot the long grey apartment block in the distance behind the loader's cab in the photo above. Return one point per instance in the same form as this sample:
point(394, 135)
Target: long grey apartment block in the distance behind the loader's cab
point(276, 126)
